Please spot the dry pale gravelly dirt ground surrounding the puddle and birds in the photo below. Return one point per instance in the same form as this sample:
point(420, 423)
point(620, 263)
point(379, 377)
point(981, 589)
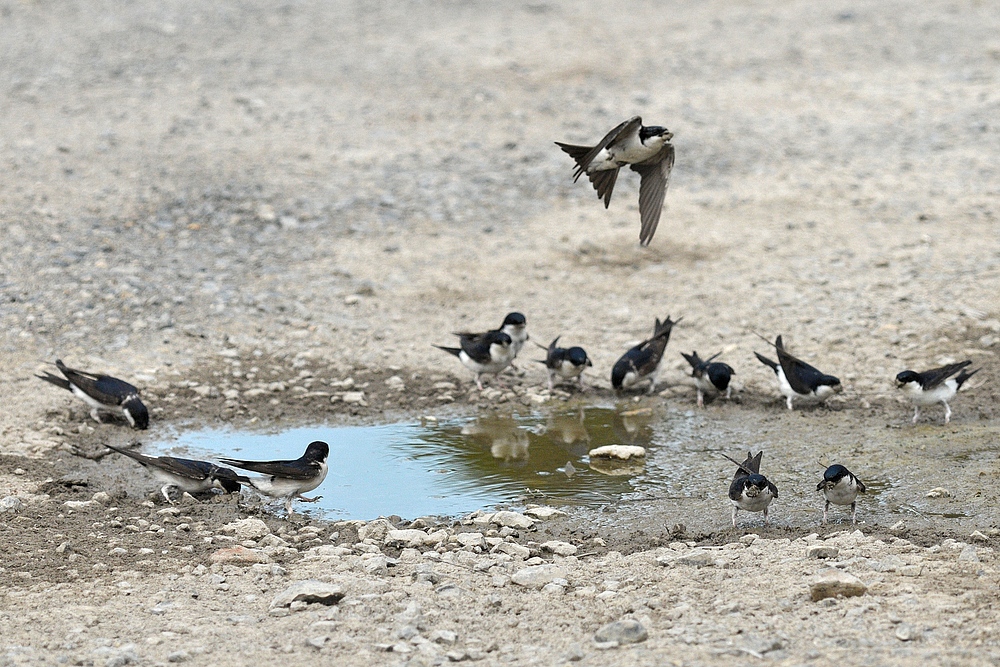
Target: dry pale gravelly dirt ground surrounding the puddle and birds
point(238, 205)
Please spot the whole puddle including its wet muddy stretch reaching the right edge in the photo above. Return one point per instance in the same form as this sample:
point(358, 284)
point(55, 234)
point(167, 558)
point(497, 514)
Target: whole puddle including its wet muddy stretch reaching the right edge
point(453, 467)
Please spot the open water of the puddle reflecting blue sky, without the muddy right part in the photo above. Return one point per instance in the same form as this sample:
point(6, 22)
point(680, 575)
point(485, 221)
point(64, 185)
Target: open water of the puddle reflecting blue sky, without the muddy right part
point(451, 467)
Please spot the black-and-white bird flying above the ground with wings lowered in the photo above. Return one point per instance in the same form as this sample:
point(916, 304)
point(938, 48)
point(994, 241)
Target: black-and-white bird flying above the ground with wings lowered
point(646, 150)
